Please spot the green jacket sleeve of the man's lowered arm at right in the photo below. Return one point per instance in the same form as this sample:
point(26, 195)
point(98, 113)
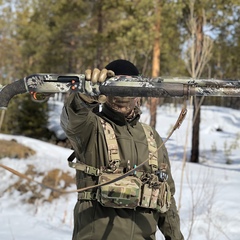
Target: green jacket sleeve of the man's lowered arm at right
point(169, 222)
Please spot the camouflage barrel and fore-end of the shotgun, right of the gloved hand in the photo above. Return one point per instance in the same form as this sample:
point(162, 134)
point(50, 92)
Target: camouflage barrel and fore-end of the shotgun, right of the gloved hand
point(169, 87)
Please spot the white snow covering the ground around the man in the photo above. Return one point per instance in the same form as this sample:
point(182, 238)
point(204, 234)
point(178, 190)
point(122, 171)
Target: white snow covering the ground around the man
point(207, 194)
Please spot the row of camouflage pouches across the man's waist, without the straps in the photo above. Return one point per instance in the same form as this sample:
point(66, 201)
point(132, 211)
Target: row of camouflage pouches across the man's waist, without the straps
point(130, 192)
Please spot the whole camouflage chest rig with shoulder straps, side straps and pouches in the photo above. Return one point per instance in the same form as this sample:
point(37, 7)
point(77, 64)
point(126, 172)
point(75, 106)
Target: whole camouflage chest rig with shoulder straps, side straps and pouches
point(147, 190)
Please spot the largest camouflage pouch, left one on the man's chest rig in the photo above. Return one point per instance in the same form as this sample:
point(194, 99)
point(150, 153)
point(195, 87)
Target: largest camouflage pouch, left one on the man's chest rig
point(125, 193)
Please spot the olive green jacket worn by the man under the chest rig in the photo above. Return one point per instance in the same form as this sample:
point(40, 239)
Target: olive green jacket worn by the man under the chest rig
point(91, 220)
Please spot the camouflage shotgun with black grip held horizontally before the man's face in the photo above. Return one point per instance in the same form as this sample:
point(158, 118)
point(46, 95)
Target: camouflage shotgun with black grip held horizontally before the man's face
point(132, 86)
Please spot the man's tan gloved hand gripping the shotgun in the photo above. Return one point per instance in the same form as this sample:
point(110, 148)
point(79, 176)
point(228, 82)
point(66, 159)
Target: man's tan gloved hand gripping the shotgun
point(93, 77)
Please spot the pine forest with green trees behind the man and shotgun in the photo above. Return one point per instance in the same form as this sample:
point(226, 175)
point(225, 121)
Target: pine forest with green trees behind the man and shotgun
point(192, 38)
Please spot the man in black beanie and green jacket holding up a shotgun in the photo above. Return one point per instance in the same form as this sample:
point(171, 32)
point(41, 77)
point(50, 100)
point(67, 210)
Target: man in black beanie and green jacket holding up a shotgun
point(114, 141)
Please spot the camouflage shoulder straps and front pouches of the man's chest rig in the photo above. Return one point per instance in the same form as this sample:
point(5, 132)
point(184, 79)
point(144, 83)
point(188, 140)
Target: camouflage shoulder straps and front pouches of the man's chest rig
point(130, 192)
